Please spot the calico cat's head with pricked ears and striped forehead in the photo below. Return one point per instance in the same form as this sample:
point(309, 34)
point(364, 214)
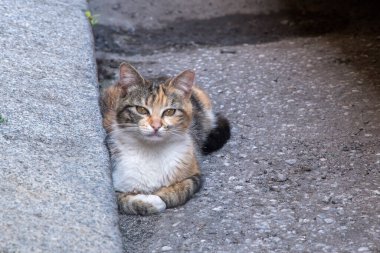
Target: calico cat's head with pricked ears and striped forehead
point(152, 111)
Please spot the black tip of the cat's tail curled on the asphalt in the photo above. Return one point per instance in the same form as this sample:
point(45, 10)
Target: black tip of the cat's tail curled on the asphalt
point(218, 135)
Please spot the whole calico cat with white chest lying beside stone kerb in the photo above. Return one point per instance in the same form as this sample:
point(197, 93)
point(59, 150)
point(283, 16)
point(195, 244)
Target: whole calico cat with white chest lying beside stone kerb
point(155, 133)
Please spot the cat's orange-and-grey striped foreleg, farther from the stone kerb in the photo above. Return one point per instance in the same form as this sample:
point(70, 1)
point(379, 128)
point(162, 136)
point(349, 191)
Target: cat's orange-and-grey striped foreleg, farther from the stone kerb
point(179, 193)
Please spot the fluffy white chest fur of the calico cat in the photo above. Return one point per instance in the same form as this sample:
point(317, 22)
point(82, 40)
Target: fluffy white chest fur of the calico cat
point(147, 167)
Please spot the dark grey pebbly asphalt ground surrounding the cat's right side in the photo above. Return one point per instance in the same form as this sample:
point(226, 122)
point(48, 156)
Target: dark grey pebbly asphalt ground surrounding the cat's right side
point(301, 172)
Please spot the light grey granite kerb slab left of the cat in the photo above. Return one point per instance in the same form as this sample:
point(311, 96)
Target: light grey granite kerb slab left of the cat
point(55, 184)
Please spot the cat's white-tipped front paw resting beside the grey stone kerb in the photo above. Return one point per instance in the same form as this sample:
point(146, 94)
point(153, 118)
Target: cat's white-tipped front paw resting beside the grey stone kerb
point(140, 204)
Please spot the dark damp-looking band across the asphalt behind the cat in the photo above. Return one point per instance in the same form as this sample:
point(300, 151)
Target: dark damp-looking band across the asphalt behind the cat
point(221, 31)
